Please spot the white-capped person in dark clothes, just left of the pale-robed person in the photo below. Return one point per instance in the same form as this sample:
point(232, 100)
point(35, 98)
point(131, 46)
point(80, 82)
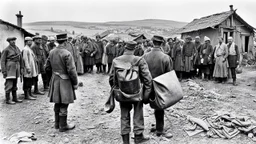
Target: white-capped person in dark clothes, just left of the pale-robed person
point(206, 59)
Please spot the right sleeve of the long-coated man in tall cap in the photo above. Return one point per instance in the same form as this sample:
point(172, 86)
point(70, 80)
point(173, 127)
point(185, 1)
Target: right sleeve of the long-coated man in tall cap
point(71, 69)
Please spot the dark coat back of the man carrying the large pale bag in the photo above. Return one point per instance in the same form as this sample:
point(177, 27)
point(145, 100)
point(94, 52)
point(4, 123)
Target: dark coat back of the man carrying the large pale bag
point(158, 62)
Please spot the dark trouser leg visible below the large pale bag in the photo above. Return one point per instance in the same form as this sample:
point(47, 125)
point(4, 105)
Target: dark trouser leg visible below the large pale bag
point(159, 116)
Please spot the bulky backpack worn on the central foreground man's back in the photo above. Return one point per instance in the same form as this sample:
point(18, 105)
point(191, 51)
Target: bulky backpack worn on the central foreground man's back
point(129, 87)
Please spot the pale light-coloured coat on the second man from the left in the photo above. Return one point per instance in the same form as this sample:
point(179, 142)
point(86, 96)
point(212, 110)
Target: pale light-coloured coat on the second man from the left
point(29, 63)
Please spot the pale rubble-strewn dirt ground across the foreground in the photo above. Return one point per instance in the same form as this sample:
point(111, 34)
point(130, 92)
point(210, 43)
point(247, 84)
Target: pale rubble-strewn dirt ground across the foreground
point(94, 126)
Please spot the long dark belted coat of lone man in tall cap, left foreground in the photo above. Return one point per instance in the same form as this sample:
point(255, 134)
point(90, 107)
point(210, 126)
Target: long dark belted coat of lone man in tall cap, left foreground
point(64, 76)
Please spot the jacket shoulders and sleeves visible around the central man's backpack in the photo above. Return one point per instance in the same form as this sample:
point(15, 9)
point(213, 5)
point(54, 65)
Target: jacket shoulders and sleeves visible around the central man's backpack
point(144, 73)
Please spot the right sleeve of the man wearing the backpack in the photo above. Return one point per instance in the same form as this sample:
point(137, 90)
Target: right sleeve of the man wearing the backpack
point(146, 79)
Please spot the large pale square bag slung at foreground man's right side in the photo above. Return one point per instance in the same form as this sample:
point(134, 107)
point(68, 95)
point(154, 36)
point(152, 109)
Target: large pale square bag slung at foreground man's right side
point(167, 91)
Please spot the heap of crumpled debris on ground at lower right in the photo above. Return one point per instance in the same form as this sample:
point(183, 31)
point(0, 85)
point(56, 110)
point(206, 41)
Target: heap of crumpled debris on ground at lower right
point(224, 126)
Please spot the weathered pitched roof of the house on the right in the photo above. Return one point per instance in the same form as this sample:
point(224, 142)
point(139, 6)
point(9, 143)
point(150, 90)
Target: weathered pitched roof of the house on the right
point(210, 22)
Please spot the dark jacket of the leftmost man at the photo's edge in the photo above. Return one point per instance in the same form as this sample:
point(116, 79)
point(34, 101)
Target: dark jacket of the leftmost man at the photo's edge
point(10, 62)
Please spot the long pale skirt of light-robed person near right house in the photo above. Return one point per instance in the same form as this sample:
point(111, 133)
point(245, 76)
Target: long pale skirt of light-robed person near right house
point(221, 68)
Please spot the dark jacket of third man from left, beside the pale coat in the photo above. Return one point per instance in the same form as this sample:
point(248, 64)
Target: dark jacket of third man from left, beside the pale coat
point(40, 57)
